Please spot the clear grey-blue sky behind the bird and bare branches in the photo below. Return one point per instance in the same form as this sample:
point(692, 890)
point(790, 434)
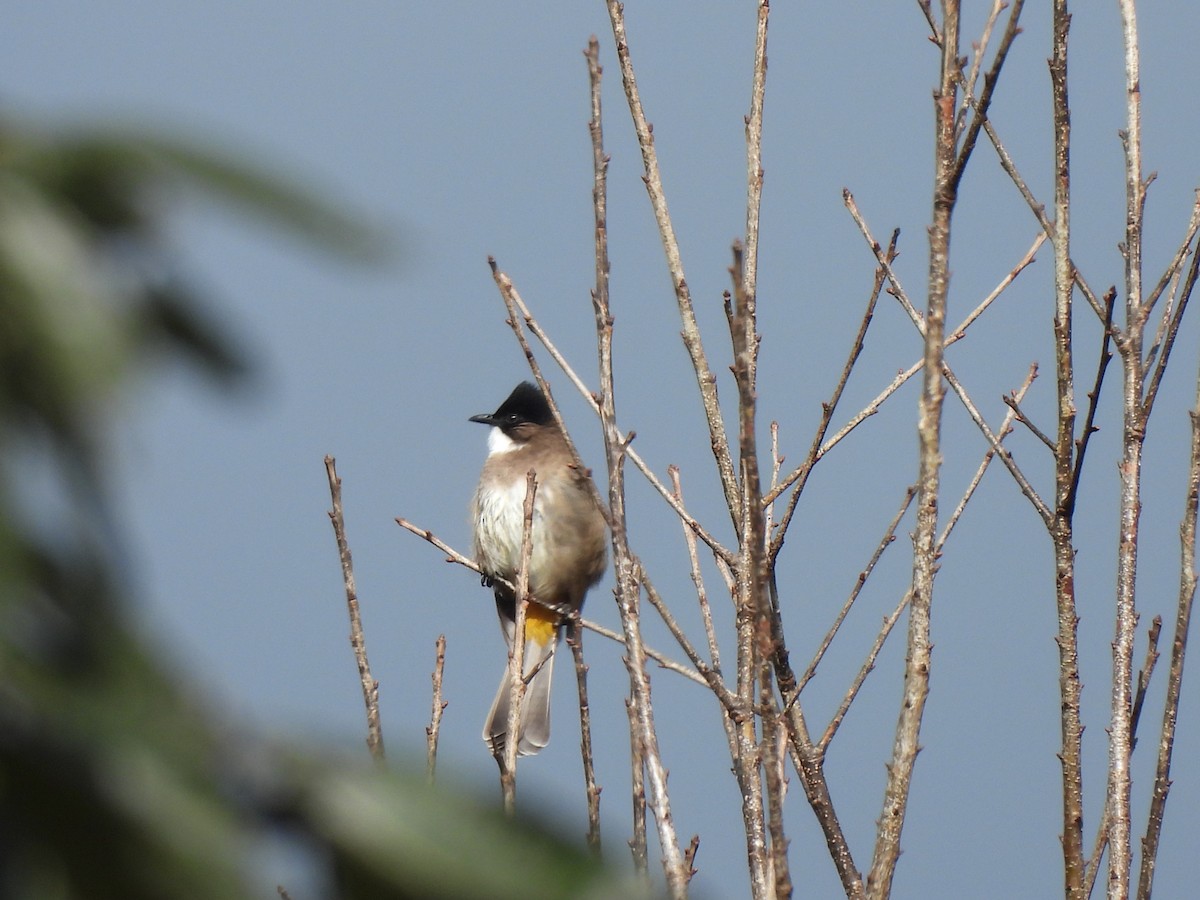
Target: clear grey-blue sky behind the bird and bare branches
point(463, 128)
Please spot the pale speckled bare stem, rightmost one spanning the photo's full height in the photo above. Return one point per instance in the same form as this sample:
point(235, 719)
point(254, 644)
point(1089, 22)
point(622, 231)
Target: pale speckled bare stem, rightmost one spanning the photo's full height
point(1133, 437)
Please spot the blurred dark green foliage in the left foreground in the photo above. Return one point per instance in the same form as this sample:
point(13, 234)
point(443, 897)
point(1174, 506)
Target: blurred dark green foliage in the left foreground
point(115, 781)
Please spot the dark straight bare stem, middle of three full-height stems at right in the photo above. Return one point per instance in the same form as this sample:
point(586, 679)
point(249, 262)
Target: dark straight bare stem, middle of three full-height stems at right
point(1063, 526)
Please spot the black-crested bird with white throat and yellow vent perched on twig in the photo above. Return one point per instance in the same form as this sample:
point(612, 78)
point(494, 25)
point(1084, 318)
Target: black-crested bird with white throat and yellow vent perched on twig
point(568, 556)
